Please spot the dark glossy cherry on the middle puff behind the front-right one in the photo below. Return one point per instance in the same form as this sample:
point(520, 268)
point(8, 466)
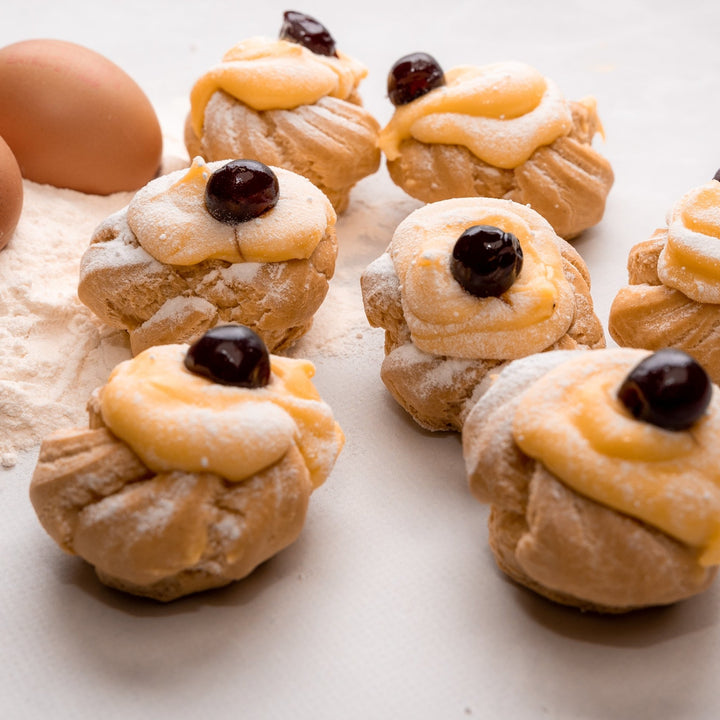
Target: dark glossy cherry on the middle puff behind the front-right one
point(486, 260)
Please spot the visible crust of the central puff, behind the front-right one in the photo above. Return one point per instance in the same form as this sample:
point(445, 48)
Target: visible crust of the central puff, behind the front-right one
point(439, 390)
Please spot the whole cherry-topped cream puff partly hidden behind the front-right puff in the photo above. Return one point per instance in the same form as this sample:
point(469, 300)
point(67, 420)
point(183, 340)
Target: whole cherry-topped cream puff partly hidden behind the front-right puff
point(441, 338)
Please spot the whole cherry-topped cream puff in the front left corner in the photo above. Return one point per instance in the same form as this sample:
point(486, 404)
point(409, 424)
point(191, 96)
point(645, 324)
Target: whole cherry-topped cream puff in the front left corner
point(197, 465)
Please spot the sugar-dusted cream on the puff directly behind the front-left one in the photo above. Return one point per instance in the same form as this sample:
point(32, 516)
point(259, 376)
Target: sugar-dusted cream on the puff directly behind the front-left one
point(169, 218)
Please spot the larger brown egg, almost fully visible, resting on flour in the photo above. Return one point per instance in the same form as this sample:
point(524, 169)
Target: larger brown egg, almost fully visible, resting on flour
point(74, 119)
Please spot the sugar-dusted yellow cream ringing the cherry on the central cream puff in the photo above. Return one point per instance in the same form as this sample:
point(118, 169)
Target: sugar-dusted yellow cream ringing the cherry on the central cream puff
point(444, 319)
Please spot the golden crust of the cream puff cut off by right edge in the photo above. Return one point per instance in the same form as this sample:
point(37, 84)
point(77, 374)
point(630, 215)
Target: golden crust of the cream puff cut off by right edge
point(648, 314)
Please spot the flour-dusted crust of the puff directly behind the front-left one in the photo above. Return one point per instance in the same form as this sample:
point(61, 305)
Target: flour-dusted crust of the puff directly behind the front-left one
point(160, 303)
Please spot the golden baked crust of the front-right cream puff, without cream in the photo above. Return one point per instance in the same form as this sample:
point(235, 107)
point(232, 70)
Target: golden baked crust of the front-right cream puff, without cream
point(550, 538)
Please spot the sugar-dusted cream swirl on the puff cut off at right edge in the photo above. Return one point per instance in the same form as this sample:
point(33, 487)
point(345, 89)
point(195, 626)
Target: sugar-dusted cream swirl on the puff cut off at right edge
point(690, 260)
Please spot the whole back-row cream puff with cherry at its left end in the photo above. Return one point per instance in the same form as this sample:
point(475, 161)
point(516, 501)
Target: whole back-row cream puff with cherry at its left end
point(501, 130)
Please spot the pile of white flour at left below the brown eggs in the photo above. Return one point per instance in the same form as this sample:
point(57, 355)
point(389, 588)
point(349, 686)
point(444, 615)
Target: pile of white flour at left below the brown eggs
point(53, 352)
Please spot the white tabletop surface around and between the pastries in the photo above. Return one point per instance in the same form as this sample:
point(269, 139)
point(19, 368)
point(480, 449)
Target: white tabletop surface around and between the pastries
point(389, 605)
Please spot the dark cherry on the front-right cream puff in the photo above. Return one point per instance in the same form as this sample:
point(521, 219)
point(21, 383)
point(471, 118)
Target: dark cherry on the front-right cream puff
point(668, 389)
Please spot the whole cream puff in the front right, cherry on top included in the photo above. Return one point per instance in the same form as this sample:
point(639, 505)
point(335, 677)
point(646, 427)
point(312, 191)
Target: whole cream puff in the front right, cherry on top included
point(599, 497)
